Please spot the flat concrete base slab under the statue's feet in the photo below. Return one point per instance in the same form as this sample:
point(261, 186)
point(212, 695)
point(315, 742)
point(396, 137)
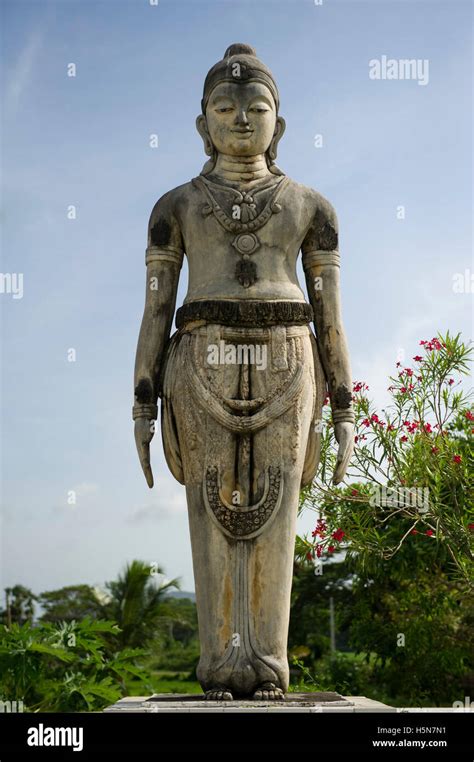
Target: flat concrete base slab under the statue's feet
point(293, 702)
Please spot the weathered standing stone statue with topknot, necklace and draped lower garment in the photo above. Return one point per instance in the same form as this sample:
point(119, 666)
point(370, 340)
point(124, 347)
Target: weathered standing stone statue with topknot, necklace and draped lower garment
point(243, 379)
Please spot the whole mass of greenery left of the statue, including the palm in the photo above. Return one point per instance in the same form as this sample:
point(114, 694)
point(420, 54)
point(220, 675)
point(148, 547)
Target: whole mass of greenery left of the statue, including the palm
point(83, 652)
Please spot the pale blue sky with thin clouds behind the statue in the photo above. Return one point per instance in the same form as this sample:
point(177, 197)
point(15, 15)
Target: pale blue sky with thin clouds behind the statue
point(84, 141)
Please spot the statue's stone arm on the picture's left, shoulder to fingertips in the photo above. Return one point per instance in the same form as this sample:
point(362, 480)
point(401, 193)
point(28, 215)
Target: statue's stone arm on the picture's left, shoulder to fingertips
point(164, 257)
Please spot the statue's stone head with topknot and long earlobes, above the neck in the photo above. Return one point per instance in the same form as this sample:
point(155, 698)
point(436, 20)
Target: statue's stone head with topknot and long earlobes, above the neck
point(240, 108)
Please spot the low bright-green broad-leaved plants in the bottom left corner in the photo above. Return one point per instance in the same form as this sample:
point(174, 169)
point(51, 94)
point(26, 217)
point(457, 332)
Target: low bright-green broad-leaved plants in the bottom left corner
point(65, 667)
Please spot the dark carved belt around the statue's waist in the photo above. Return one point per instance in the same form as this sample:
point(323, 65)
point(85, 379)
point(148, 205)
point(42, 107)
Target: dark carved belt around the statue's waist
point(243, 313)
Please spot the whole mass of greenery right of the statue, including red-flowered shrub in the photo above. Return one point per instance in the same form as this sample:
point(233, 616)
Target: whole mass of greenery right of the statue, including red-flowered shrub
point(408, 561)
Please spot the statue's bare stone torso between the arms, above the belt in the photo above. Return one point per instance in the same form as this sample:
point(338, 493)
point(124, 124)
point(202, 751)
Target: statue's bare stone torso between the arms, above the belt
point(253, 257)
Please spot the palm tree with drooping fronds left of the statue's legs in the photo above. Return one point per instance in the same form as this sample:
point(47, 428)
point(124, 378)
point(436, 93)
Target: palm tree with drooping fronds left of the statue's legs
point(136, 599)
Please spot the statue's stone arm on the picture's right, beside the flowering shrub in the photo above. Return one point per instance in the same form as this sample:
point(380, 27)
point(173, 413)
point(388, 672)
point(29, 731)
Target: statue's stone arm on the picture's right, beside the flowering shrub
point(321, 263)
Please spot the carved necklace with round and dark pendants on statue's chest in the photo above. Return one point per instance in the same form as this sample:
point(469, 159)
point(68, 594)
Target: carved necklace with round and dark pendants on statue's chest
point(244, 221)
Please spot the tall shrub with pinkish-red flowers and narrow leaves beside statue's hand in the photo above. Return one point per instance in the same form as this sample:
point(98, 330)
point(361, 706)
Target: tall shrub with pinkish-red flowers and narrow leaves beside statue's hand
point(412, 473)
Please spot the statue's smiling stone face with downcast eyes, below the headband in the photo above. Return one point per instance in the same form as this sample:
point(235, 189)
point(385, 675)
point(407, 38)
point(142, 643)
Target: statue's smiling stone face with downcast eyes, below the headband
point(241, 118)
